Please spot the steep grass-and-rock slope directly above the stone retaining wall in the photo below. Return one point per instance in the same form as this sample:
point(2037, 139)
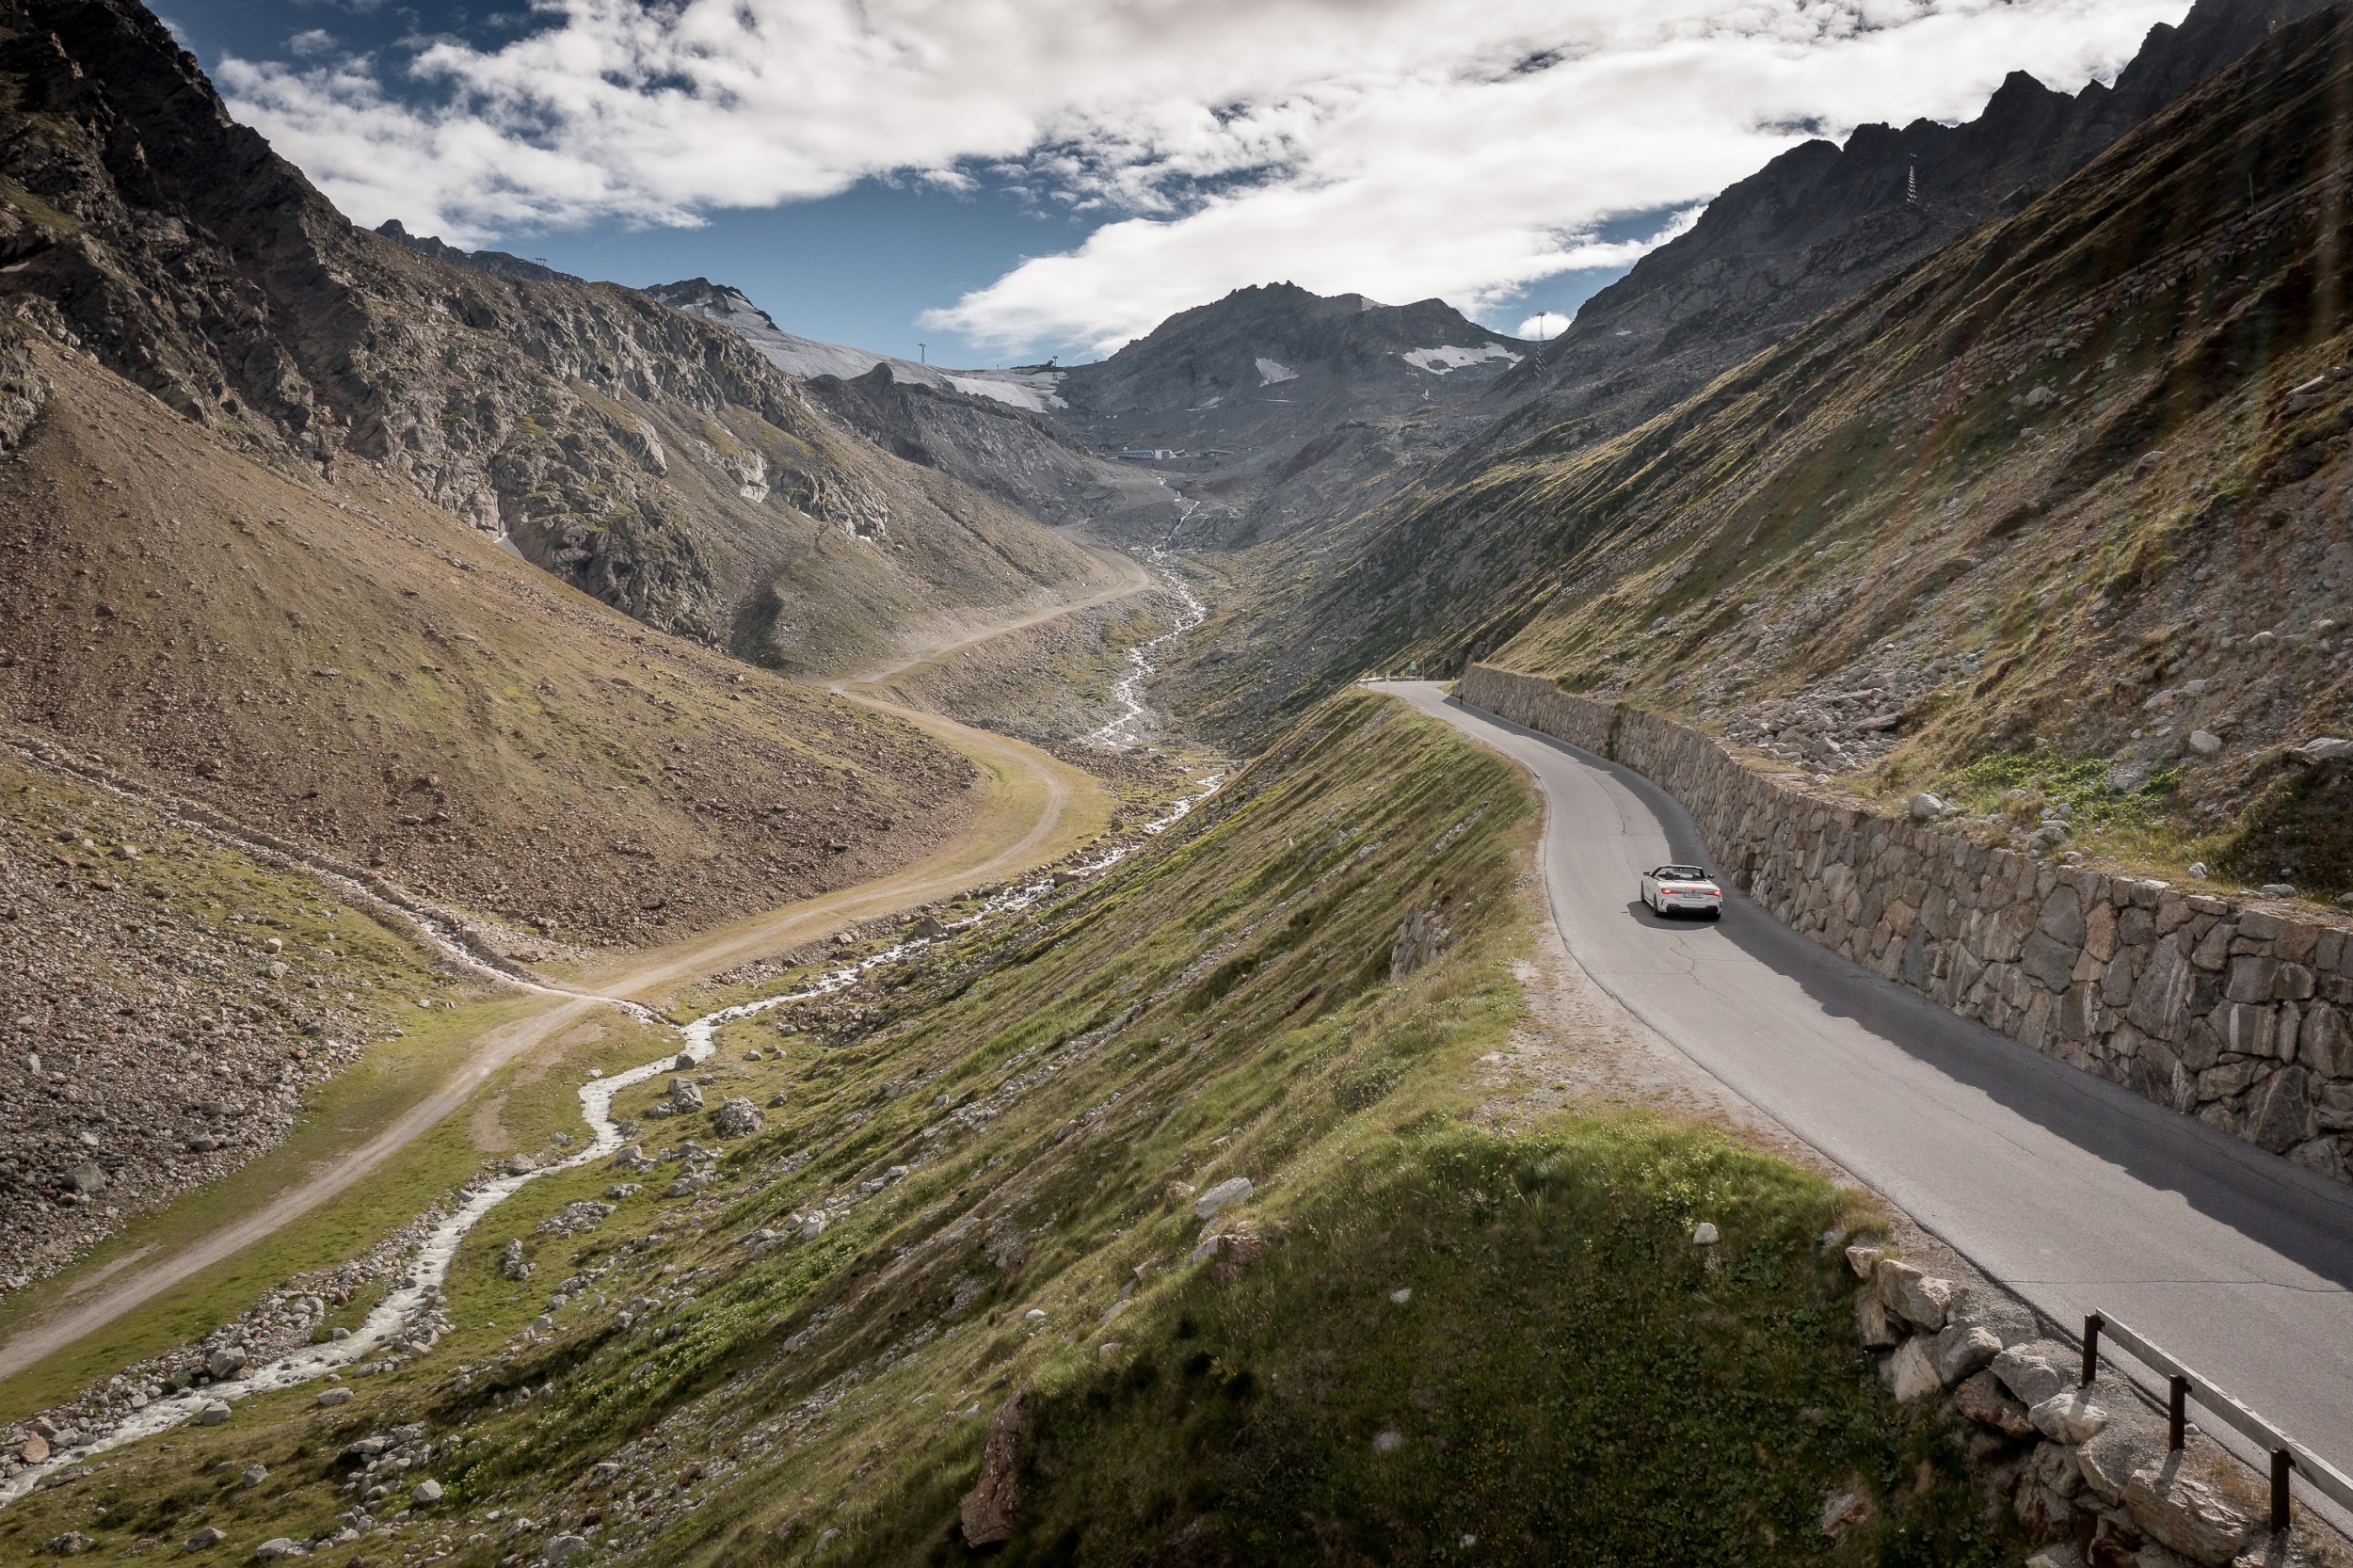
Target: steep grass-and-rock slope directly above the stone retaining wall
point(2072, 489)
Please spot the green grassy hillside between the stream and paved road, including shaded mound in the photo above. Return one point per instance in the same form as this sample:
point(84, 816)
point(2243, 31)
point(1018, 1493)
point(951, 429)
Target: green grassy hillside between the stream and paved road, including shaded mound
point(1566, 1362)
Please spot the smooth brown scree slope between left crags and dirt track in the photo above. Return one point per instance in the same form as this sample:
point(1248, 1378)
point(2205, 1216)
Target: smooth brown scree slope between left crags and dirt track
point(171, 604)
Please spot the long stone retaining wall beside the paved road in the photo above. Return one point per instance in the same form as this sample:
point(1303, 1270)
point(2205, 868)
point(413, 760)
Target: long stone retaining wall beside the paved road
point(2232, 1016)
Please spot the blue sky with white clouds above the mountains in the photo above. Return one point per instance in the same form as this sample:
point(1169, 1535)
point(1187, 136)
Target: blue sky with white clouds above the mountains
point(1018, 178)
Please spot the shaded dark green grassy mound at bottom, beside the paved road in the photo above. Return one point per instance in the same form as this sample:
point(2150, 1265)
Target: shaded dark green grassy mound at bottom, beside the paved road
point(1474, 1348)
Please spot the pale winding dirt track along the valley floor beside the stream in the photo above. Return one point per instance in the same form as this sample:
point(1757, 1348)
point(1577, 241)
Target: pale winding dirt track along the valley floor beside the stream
point(1034, 811)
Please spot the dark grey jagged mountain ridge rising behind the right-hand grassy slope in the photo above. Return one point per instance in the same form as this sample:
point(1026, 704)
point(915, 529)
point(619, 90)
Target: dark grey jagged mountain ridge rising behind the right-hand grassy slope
point(1808, 232)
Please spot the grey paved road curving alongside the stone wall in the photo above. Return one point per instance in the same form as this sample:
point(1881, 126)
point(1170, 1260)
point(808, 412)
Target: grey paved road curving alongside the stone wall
point(2074, 1192)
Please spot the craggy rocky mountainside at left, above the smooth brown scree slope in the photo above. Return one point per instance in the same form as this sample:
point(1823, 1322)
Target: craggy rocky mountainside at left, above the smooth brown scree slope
point(636, 451)
